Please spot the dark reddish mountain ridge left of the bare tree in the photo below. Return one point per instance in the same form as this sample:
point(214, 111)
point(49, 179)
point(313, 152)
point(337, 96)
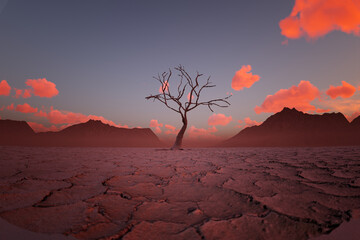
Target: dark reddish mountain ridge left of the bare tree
point(90, 134)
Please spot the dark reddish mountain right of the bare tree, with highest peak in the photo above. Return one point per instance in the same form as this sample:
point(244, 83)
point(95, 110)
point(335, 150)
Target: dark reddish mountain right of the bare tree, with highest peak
point(291, 127)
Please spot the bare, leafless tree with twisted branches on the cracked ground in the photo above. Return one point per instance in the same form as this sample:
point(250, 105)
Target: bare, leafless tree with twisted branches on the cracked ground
point(176, 101)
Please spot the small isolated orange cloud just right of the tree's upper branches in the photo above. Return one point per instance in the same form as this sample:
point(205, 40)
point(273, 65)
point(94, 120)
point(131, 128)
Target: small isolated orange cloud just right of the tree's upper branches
point(244, 78)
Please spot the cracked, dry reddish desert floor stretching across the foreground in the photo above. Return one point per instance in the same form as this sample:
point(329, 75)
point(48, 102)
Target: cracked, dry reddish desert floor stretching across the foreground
point(222, 193)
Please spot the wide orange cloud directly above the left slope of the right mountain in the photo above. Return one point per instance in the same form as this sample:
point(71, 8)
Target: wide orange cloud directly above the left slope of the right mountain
point(298, 97)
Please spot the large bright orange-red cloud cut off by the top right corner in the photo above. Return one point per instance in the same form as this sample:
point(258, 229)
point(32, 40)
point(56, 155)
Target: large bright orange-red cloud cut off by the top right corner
point(316, 18)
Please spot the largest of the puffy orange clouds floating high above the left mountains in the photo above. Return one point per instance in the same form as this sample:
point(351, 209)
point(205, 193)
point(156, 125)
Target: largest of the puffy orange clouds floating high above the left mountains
point(42, 87)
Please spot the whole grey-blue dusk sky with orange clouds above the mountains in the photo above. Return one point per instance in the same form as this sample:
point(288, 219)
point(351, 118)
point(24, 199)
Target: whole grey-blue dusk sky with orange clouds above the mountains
point(64, 62)
